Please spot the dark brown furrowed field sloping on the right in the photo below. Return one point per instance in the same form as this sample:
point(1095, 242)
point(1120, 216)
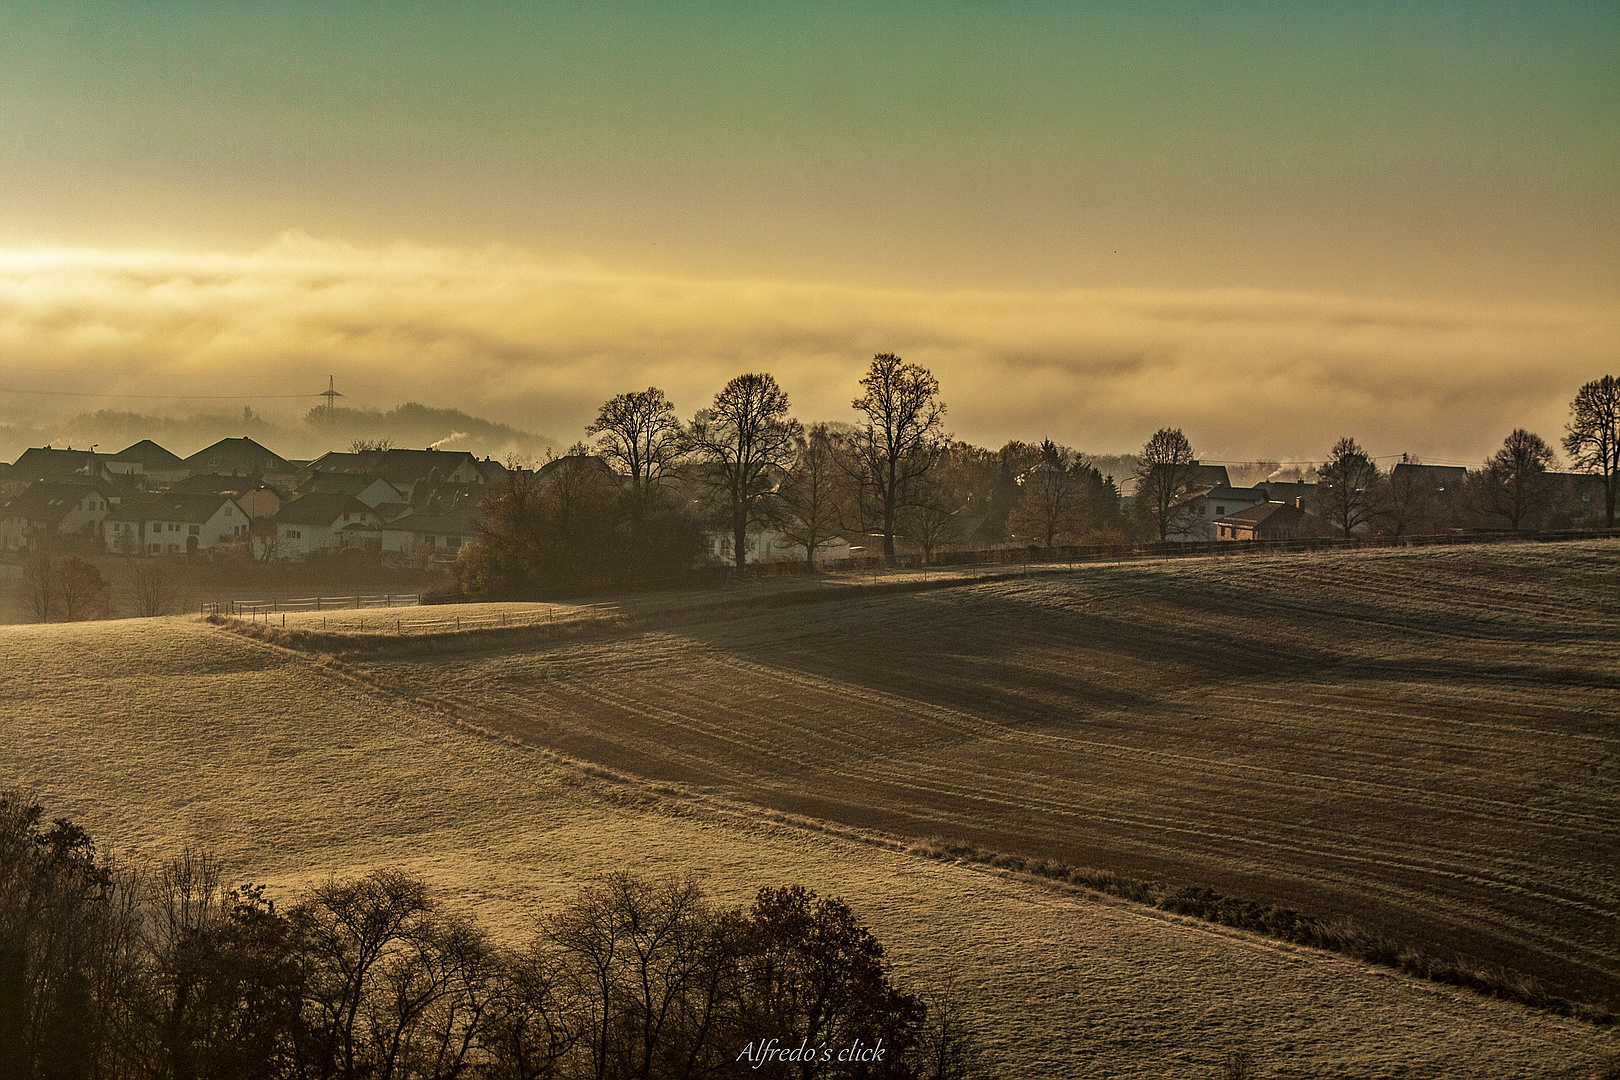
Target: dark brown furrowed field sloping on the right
point(1425, 742)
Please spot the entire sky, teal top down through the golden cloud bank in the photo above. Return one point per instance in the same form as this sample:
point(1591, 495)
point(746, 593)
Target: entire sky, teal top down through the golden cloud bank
point(1266, 224)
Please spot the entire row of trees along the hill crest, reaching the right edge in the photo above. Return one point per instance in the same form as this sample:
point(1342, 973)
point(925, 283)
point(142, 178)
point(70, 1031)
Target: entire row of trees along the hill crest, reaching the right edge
point(634, 508)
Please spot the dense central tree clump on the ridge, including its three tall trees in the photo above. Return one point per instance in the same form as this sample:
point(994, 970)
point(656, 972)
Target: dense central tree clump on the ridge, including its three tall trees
point(637, 504)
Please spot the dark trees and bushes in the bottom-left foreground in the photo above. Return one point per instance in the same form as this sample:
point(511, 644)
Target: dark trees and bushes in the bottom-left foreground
point(111, 976)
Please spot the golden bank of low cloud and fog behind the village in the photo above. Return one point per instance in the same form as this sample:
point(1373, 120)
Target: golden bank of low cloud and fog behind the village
point(539, 344)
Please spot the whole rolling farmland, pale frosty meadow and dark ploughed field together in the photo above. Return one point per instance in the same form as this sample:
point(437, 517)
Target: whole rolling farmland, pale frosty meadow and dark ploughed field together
point(1354, 731)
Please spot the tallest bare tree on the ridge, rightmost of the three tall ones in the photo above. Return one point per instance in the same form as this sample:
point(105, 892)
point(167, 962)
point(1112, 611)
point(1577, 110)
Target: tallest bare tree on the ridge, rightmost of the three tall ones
point(900, 441)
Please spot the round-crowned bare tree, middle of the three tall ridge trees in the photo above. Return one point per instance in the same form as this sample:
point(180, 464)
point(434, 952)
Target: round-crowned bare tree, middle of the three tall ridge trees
point(744, 441)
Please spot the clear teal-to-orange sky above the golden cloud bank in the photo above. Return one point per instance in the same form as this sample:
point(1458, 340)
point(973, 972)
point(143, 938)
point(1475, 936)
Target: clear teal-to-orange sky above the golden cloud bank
point(1457, 150)
